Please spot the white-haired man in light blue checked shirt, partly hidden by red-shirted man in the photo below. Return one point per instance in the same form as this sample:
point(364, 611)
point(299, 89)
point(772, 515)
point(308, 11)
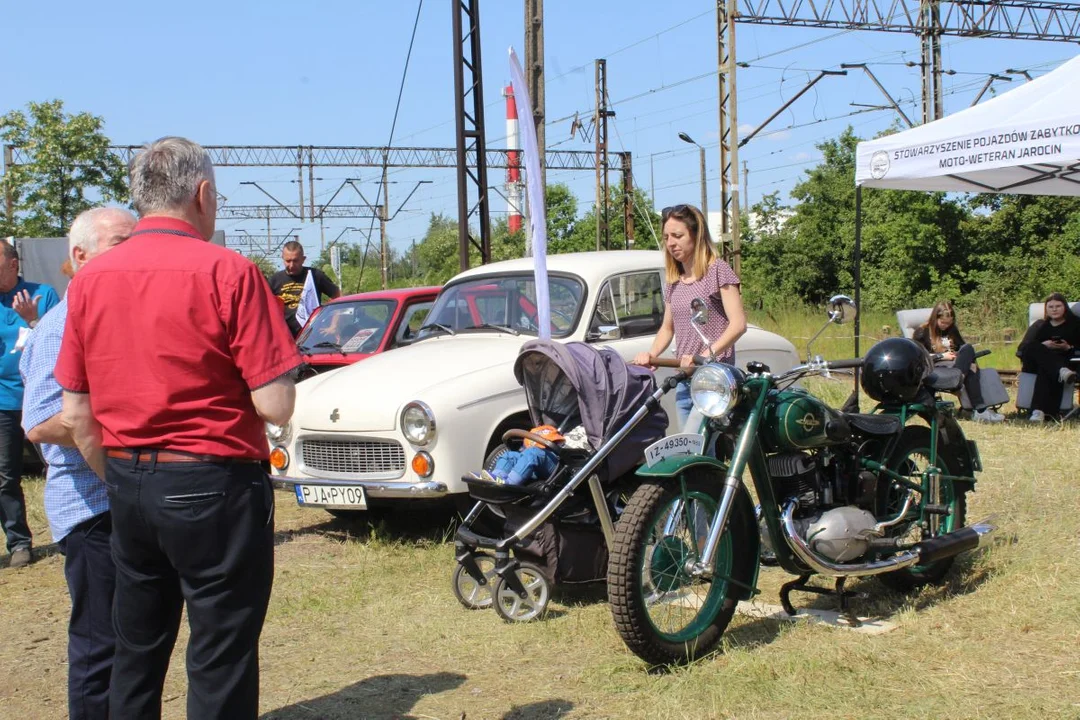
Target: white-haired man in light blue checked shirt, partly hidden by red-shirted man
point(77, 502)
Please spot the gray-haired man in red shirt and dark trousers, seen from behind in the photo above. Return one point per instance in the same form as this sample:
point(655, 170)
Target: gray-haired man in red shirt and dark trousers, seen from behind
point(174, 355)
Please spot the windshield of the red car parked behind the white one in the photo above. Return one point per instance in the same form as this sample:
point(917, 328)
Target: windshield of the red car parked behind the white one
point(348, 328)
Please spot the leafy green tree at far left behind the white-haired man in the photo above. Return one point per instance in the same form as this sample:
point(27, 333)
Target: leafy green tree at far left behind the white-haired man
point(71, 169)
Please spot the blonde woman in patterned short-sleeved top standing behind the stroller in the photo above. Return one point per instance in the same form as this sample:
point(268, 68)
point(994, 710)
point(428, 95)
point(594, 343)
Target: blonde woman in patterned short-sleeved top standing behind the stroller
point(694, 270)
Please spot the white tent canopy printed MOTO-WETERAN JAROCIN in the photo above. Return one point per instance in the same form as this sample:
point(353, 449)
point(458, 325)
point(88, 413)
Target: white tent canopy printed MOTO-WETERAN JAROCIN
point(1024, 142)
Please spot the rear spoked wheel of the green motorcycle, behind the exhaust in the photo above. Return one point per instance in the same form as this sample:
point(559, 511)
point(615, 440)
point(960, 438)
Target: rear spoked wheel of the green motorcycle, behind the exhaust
point(912, 459)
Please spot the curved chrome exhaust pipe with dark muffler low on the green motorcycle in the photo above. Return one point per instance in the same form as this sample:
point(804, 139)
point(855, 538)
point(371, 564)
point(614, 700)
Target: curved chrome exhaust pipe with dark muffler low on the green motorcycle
point(925, 553)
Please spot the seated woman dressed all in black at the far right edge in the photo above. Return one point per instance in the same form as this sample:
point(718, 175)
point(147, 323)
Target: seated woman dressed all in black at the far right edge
point(1046, 351)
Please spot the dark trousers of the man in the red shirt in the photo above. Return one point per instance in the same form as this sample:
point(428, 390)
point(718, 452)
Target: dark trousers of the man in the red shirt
point(200, 534)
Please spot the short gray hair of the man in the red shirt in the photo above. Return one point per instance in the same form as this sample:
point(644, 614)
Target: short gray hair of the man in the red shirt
point(166, 175)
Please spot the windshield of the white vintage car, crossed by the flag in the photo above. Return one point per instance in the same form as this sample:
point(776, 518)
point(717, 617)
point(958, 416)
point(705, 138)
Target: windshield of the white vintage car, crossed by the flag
point(497, 304)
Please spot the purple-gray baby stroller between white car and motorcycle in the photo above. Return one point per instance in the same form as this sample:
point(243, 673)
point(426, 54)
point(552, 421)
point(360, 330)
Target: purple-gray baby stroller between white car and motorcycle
point(553, 533)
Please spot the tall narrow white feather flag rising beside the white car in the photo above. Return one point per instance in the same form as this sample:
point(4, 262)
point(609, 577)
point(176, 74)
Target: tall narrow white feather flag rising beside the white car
point(538, 223)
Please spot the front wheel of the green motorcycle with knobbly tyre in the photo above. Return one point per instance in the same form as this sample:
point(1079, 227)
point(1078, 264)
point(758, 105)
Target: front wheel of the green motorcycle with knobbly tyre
point(665, 614)
